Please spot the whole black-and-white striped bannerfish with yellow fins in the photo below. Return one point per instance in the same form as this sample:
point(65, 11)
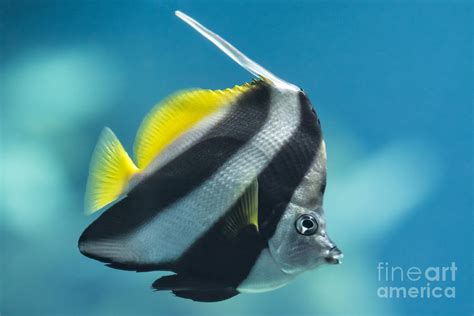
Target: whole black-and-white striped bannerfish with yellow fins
point(225, 191)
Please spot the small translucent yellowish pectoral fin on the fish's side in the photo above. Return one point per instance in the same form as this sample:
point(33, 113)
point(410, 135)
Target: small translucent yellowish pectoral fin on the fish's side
point(243, 213)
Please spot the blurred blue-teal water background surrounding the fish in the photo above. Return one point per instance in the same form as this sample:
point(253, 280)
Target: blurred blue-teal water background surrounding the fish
point(392, 83)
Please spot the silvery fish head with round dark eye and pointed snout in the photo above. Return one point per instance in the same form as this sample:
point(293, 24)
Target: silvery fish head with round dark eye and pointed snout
point(301, 242)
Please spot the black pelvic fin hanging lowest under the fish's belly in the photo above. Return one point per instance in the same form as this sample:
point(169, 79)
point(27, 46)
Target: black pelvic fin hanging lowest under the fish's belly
point(195, 289)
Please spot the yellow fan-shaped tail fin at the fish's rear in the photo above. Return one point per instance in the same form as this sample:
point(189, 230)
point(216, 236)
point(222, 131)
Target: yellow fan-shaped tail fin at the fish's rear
point(110, 171)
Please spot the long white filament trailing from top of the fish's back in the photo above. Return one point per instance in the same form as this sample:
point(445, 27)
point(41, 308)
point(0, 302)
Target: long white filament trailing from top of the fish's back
point(235, 54)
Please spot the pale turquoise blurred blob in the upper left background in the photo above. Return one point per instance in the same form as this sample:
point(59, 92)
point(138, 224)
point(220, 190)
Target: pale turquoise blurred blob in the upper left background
point(50, 90)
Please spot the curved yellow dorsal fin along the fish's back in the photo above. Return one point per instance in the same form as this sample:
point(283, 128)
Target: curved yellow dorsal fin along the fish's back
point(176, 114)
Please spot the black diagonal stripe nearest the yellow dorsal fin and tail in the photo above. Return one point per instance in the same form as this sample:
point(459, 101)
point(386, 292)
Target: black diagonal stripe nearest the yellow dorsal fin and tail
point(181, 175)
